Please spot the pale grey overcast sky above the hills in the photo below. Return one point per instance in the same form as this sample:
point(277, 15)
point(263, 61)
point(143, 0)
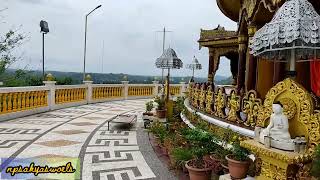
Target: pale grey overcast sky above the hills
point(127, 28)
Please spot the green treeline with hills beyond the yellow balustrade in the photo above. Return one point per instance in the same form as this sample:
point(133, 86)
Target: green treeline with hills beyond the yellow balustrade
point(13, 78)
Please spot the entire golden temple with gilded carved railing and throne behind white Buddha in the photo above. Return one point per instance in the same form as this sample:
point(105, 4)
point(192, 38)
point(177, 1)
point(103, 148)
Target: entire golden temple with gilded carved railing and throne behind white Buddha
point(258, 83)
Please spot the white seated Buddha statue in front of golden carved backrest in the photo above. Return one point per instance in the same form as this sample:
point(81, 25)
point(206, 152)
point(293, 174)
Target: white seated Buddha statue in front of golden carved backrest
point(278, 128)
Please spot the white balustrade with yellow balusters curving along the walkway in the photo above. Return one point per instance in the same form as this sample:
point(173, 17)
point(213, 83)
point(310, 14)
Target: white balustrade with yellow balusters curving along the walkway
point(22, 101)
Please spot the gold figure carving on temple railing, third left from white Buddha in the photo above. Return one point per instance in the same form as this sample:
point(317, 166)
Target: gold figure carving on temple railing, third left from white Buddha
point(219, 103)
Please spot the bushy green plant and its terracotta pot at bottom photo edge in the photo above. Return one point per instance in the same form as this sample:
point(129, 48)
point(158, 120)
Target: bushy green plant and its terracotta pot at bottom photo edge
point(201, 144)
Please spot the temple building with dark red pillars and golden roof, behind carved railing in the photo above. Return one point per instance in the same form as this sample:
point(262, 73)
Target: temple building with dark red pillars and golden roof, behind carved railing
point(251, 73)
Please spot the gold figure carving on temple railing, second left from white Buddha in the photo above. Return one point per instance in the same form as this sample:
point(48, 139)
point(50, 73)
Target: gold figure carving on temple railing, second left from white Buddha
point(233, 103)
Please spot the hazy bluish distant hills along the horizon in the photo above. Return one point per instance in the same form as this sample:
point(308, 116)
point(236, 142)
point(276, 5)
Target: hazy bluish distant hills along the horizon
point(112, 78)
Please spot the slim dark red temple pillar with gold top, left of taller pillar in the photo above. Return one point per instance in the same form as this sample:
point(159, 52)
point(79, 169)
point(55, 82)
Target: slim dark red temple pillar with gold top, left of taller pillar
point(242, 64)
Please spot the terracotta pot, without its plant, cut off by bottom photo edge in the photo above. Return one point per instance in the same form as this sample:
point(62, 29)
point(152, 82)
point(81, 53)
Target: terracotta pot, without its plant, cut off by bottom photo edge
point(199, 174)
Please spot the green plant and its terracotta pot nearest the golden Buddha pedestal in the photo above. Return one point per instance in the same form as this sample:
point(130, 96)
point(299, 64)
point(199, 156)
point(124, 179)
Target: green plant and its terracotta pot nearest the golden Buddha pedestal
point(238, 161)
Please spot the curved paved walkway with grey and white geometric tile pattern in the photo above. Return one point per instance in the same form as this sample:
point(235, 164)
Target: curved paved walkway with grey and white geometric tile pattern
point(80, 135)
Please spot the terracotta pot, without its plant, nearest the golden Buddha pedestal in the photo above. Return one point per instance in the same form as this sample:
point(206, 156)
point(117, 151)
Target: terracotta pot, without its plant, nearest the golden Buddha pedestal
point(237, 169)
